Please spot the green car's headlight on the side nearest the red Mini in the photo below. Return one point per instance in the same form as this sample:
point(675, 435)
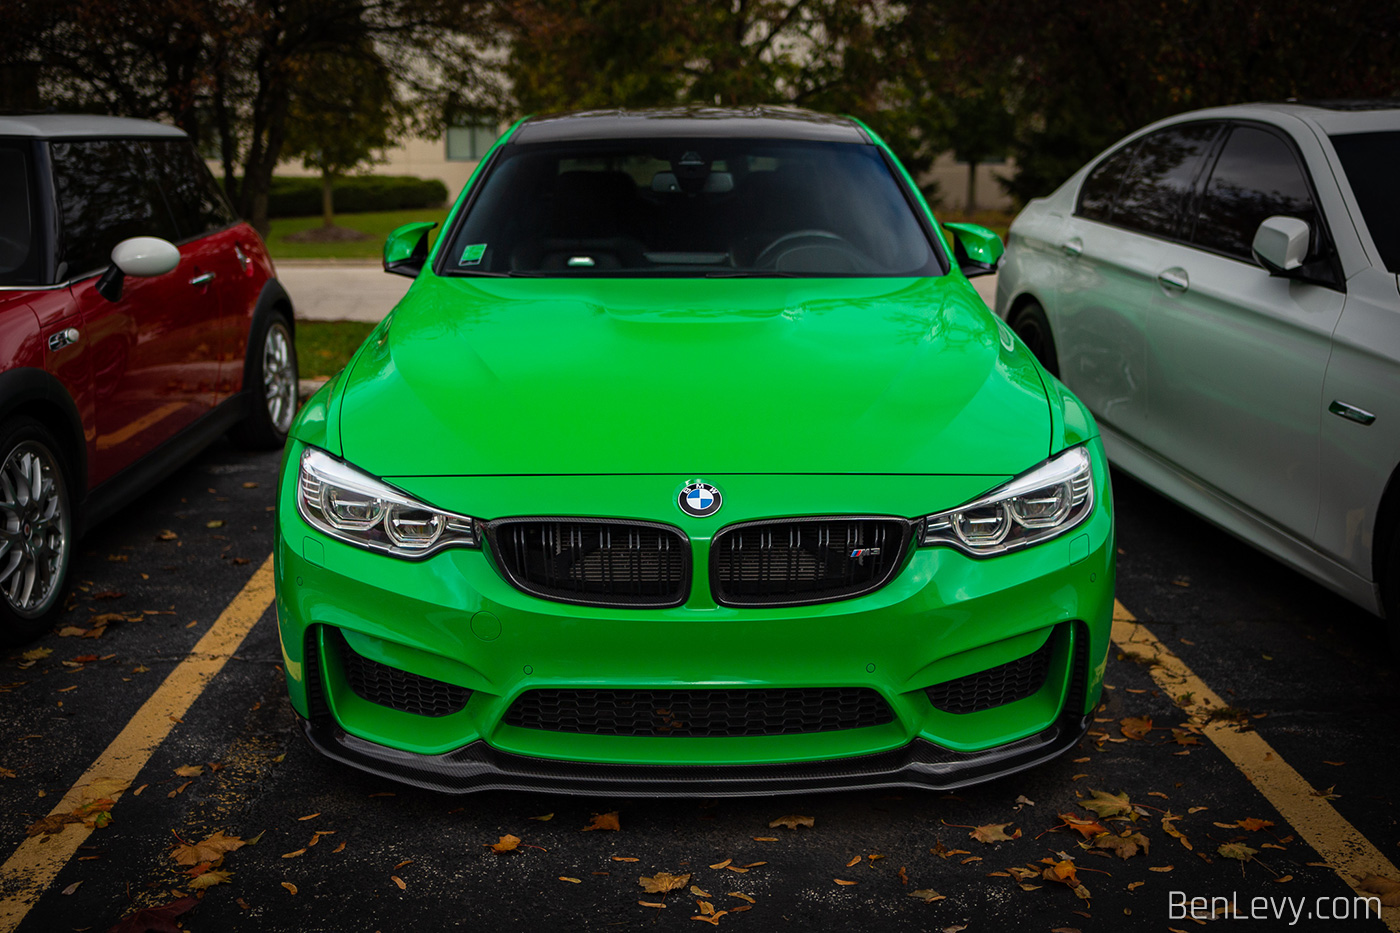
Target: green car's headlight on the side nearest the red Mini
point(362, 511)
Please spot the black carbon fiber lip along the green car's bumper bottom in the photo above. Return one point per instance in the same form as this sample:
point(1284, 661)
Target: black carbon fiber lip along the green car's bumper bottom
point(479, 767)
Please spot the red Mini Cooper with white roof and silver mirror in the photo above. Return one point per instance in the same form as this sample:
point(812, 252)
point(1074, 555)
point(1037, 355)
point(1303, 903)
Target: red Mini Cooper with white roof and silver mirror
point(139, 322)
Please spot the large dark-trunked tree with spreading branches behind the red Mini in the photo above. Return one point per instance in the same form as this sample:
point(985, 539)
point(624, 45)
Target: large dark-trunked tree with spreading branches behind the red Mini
point(229, 71)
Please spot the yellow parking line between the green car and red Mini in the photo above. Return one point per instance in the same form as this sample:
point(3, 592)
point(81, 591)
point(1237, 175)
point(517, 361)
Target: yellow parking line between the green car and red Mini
point(34, 866)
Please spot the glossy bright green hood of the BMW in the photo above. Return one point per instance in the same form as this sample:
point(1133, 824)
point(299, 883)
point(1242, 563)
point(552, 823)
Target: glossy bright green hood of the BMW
point(692, 376)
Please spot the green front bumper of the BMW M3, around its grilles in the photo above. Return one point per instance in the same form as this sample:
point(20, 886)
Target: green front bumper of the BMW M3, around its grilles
point(453, 618)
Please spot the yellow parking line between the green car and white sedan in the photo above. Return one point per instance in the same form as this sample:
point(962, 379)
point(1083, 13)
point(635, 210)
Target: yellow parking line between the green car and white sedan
point(1349, 852)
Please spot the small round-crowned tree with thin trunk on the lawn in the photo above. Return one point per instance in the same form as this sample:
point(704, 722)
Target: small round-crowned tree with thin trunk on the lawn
point(344, 111)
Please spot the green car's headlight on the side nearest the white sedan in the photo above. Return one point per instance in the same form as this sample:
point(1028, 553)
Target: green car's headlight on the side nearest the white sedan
point(1037, 506)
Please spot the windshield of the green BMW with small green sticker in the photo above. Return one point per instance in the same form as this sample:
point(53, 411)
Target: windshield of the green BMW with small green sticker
point(691, 208)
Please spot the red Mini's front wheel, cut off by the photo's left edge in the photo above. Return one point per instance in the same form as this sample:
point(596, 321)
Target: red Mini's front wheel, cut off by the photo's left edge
point(36, 530)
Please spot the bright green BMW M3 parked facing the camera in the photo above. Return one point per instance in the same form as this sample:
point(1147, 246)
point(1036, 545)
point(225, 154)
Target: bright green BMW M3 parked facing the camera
point(692, 464)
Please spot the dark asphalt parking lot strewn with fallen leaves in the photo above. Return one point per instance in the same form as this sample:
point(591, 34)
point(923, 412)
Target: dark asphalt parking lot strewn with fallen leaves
point(150, 725)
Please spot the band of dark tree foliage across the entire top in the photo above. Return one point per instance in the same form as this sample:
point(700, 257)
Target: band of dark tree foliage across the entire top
point(1046, 82)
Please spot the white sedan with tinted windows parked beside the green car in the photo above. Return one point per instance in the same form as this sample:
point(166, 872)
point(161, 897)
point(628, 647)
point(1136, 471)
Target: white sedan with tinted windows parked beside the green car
point(1221, 289)
